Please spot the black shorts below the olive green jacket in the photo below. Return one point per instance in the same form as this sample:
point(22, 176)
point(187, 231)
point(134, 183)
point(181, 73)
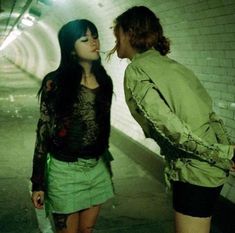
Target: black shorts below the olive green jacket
point(194, 200)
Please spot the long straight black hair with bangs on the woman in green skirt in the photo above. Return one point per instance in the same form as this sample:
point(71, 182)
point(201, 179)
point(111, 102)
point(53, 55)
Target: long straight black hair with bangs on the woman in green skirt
point(68, 75)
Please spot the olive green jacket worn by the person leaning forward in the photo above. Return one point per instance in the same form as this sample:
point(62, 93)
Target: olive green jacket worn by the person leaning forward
point(174, 109)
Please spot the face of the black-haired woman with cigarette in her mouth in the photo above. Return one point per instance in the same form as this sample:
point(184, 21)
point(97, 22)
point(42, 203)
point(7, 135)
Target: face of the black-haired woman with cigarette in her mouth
point(87, 46)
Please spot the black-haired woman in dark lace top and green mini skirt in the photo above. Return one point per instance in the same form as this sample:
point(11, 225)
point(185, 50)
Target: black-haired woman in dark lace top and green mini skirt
point(71, 164)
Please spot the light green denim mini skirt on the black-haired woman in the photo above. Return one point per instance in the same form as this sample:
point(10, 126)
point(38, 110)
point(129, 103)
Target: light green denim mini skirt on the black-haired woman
point(74, 186)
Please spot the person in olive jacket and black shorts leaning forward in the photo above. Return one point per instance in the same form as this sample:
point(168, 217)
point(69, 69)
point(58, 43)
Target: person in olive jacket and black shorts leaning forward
point(174, 109)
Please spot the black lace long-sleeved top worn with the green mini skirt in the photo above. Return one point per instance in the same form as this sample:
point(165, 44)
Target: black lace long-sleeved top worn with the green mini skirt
point(82, 134)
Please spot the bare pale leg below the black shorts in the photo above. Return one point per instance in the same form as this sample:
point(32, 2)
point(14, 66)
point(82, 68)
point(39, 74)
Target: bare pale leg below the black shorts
point(189, 224)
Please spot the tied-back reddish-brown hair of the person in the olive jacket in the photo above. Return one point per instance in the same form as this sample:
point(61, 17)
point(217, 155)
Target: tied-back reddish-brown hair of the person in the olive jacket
point(144, 29)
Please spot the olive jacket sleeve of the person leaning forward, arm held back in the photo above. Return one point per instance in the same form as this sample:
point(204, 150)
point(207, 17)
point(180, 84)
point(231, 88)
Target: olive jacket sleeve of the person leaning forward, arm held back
point(151, 111)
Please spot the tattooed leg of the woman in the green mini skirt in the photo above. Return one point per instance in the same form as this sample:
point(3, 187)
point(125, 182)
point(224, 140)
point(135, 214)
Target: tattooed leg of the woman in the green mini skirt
point(66, 223)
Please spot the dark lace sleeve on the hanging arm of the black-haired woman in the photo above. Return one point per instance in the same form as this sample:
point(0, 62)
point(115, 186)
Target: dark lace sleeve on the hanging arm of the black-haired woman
point(41, 145)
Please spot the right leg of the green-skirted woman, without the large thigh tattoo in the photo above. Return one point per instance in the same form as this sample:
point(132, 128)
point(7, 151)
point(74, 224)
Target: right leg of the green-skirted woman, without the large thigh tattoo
point(87, 219)
